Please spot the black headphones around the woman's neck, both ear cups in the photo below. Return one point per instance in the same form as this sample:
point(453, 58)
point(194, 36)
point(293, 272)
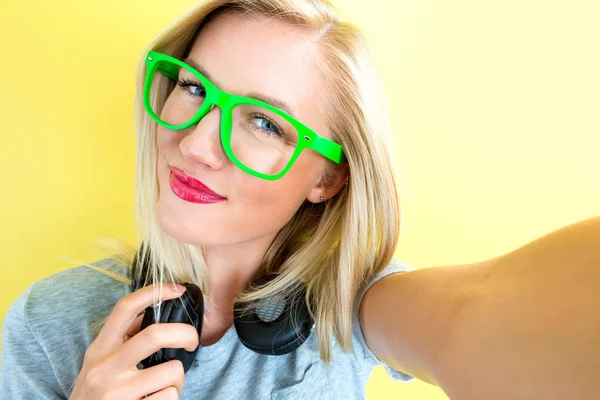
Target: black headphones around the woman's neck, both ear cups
point(276, 328)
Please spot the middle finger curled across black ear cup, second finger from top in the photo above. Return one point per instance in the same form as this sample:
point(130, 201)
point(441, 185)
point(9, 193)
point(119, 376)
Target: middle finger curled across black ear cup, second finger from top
point(176, 335)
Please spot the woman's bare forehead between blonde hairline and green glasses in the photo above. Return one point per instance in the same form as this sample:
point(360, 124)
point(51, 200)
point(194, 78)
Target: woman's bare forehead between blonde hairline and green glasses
point(252, 54)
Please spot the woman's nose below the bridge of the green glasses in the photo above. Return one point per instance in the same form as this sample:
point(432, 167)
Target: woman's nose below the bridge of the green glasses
point(203, 142)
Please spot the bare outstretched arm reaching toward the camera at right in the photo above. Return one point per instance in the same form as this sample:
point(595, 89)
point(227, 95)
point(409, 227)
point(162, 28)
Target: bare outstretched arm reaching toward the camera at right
point(525, 325)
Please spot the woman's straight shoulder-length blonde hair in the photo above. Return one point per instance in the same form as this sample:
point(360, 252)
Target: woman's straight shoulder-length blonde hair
point(334, 247)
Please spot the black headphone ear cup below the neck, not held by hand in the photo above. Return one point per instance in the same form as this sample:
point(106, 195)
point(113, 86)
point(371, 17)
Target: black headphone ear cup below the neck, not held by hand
point(279, 336)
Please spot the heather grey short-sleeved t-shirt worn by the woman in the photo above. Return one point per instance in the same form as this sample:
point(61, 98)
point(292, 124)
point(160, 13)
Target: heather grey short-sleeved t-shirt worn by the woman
point(48, 328)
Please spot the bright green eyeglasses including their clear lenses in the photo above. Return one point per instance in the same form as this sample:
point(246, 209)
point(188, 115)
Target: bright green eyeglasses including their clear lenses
point(258, 138)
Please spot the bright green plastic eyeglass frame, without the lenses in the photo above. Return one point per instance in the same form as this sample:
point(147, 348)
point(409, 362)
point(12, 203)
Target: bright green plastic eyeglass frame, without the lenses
point(307, 138)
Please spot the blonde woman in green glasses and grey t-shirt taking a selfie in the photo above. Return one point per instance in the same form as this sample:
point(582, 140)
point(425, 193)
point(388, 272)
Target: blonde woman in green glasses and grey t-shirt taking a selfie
point(292, 179)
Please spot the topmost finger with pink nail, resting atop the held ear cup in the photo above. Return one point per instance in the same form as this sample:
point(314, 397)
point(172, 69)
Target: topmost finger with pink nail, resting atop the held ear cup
point(127, 310)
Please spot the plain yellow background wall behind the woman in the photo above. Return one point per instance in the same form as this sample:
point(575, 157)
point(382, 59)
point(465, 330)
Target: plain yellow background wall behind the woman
point(495, 106)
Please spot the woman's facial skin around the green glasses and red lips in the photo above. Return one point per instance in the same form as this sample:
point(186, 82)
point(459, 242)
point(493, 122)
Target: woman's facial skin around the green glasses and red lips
point(243, 55)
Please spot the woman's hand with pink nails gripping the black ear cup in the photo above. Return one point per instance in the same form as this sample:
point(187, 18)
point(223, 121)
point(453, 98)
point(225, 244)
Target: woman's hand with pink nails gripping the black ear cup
point(109, 368)
